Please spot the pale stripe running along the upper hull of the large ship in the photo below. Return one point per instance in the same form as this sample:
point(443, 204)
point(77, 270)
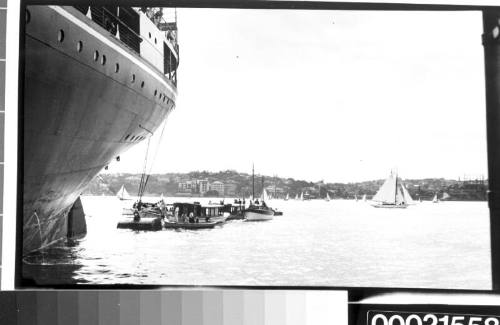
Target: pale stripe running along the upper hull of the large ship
point(111, 44)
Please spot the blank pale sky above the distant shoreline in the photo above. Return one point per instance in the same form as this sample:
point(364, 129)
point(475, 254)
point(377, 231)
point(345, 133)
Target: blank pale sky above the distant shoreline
point(339, 96)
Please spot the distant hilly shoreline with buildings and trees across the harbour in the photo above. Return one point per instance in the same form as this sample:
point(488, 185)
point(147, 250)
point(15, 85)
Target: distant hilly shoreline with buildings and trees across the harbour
point(235, 184)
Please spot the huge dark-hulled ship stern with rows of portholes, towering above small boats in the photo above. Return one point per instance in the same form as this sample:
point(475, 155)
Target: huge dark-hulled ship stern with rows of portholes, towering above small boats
point(97, 81)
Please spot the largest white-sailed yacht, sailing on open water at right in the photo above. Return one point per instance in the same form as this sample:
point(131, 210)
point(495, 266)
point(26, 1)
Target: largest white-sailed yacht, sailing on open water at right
point(392, 194)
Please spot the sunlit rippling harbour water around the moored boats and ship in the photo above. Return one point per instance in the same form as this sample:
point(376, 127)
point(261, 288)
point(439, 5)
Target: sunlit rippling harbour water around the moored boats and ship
point(315, 243)
